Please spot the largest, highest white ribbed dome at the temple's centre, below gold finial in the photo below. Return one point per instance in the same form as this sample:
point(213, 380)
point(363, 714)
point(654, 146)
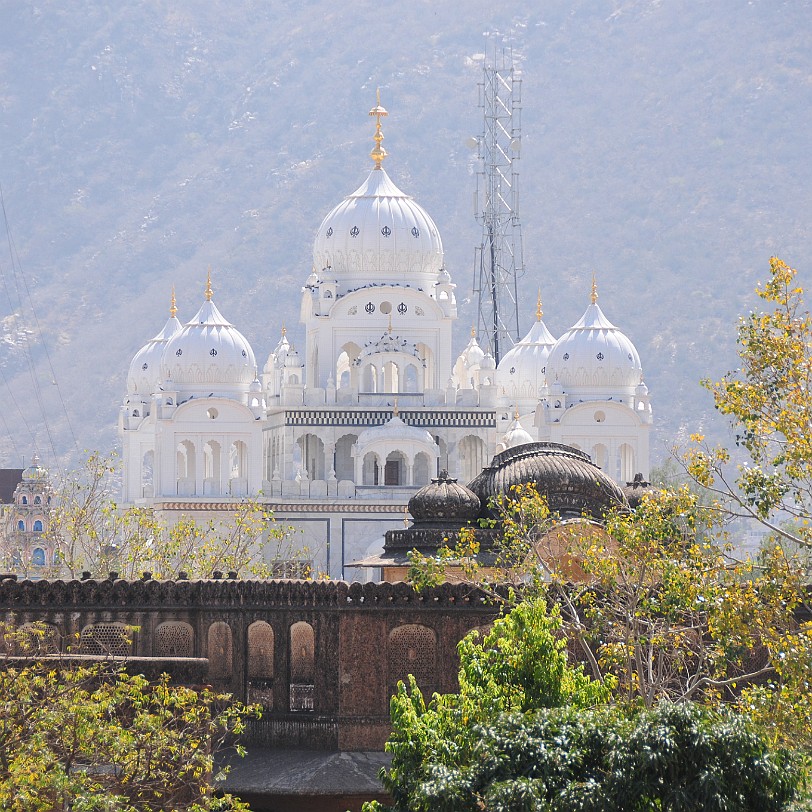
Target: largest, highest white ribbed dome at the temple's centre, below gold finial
point(378, 233)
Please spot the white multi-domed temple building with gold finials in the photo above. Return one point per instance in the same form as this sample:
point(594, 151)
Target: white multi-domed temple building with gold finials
point(335, 439)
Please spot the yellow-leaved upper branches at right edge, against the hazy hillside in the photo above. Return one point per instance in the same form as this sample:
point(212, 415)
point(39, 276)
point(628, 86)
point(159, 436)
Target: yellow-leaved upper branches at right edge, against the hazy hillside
point(769, 402)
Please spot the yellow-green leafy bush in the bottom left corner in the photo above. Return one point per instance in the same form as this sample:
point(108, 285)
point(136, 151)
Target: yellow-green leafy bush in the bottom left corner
point(89, 737)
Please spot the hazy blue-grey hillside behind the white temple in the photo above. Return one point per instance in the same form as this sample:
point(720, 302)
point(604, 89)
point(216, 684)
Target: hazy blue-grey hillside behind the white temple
point(665, 147)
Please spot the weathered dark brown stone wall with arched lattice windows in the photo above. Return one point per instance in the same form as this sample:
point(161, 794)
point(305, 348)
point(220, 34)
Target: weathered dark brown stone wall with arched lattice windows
point(321, 656)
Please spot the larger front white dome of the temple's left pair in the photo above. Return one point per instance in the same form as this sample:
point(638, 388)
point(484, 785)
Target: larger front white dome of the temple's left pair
point(209, 353)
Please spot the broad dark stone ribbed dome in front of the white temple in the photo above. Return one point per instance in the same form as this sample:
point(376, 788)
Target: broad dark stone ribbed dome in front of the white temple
point(572, 484)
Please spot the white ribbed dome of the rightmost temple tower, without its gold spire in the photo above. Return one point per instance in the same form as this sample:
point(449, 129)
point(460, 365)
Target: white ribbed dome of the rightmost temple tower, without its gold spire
point(593, 356)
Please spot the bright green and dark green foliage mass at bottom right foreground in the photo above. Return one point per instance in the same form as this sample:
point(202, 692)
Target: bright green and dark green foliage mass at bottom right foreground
point(529, 732)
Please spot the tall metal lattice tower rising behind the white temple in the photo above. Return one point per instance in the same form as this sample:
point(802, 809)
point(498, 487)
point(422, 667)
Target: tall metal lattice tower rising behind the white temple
point(499, 258)
